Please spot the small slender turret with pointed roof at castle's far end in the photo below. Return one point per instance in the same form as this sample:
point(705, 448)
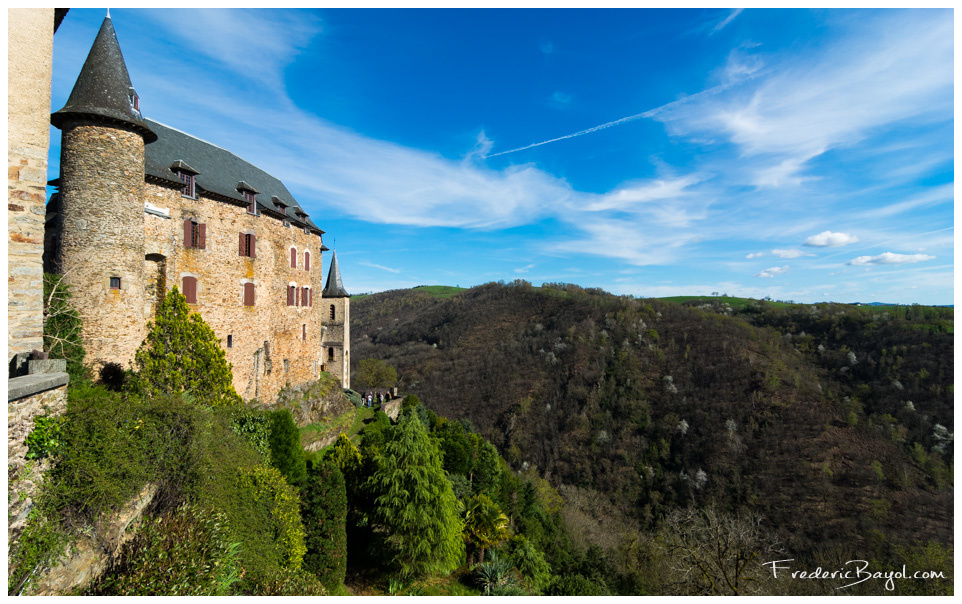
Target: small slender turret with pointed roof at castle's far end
point(336, 353)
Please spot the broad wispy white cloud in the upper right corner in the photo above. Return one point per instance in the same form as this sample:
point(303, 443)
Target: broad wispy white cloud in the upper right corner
point(898, 66)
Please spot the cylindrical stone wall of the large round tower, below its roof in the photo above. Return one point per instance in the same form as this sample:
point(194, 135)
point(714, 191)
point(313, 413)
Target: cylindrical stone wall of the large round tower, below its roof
point(102, 186)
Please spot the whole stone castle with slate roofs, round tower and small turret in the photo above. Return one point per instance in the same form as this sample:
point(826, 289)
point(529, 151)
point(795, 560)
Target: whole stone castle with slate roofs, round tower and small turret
point(142, 207)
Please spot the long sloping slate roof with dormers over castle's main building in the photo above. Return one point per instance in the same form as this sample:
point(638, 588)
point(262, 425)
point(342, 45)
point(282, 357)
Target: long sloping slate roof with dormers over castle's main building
point(220, 172)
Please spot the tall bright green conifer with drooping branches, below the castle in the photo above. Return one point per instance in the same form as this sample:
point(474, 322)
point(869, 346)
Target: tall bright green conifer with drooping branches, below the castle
point(415, 504)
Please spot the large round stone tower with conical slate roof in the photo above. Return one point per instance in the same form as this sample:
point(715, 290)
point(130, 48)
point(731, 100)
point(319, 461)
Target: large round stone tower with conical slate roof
point(101, 244)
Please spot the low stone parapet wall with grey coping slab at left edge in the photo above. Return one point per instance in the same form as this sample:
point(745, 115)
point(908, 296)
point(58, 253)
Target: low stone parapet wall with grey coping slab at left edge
point(24, 476)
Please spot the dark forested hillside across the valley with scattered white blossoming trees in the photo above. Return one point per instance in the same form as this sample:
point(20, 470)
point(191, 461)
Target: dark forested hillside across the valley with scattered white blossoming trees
point(833, 423)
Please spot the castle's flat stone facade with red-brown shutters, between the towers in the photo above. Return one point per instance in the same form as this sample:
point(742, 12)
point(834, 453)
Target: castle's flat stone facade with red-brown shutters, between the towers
point(268, 348)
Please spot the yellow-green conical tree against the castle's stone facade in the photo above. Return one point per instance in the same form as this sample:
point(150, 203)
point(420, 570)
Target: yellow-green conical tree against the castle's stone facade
point(182, 353)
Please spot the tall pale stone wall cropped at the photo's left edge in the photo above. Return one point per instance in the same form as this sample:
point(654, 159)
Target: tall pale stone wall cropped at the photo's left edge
point(29, 61)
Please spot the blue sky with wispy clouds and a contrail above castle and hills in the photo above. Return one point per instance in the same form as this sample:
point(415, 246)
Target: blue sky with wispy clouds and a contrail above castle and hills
point(798, 154)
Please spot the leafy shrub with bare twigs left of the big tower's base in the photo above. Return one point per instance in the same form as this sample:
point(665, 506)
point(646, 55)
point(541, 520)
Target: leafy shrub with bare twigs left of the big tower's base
point(62, 326)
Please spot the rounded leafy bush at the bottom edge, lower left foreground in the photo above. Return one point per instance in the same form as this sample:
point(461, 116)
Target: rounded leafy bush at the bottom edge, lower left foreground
point(185, 553)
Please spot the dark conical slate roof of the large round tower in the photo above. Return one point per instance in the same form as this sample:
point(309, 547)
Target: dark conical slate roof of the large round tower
point(103, 89)
